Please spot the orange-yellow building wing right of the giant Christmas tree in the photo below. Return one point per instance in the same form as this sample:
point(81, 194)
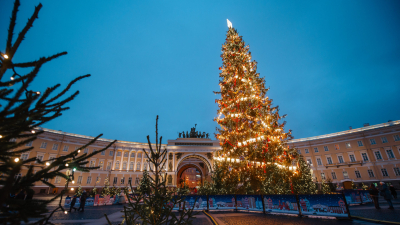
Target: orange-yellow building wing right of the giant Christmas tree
point(375, 149)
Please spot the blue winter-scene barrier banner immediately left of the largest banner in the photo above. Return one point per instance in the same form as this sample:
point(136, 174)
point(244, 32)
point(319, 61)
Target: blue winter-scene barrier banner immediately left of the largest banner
point(281, 204)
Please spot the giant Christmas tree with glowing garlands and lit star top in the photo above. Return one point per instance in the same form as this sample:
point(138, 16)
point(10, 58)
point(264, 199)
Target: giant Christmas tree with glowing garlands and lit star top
point(254, 157)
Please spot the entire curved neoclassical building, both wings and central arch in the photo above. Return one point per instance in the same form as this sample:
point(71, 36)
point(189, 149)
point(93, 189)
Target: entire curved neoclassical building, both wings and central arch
point(364, 155)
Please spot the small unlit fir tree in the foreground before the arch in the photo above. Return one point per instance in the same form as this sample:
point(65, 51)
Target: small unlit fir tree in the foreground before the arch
point(156, 208)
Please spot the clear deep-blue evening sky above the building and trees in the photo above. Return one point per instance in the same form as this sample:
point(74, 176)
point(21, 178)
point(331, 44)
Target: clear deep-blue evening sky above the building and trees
point(330, 64)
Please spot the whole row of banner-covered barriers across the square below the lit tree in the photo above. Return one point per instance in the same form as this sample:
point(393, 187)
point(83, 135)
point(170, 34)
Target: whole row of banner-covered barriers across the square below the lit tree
point(332, 205)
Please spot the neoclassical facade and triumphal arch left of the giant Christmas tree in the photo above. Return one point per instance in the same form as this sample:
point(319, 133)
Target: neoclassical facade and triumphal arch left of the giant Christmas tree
point(122, 163)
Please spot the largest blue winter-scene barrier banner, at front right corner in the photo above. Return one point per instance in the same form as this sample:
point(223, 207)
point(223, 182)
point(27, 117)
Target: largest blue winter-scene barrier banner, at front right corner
point(323, 205)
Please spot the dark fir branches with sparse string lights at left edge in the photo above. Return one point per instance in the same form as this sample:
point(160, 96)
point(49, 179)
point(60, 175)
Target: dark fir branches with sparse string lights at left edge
point(22, 112)
